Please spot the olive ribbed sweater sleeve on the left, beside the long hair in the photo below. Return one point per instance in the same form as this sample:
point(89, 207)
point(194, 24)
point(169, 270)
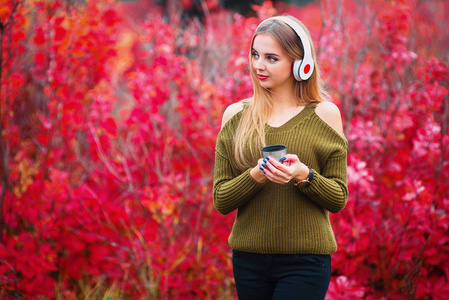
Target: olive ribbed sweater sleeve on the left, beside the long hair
point(230, 192)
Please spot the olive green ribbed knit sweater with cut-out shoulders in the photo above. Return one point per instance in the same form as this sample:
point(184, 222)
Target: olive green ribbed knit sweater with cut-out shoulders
point(284, 219)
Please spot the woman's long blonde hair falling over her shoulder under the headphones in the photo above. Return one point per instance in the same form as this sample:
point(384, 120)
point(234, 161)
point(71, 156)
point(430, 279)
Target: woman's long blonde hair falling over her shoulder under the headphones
point(250, 134)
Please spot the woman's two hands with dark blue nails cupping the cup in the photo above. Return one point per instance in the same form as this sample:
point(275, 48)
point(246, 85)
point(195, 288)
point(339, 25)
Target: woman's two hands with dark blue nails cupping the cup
point(287, 168)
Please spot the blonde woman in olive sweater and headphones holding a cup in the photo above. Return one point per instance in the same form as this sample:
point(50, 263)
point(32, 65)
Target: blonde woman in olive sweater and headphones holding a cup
point(282, 238)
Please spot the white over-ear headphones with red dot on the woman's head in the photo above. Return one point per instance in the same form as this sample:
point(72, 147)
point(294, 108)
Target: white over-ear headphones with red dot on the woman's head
point(302, 68)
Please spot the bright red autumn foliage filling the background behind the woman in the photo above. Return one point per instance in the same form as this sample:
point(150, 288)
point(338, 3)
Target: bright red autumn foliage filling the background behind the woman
point(108, 126)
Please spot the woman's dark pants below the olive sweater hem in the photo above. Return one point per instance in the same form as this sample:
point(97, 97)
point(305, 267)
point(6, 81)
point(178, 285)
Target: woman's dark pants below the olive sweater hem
point(281, 276)
